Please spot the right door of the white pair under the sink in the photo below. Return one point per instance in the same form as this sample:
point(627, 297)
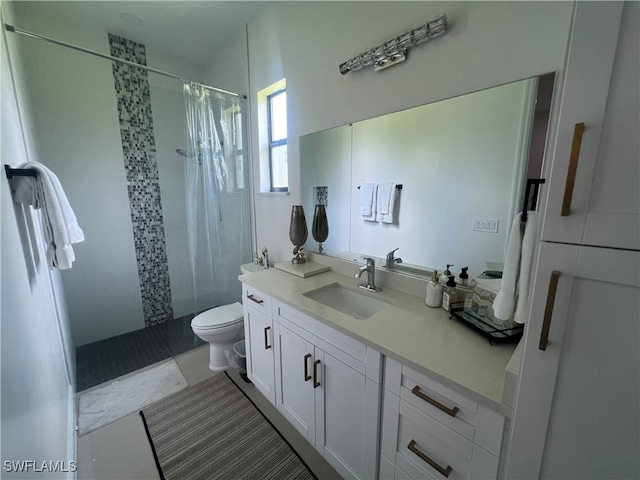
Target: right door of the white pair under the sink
point(346, 417)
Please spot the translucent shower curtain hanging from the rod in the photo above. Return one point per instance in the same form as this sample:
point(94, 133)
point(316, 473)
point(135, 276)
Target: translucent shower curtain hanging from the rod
point(217, 196)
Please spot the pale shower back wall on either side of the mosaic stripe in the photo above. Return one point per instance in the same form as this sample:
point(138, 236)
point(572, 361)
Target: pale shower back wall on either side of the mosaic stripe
point(76, 131)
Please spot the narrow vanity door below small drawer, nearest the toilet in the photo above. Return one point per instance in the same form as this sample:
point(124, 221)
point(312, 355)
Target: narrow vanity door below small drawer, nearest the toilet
point(260, 357)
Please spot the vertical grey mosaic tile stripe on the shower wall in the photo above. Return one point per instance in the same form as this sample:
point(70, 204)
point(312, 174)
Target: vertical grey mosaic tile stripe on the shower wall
point(141, 167)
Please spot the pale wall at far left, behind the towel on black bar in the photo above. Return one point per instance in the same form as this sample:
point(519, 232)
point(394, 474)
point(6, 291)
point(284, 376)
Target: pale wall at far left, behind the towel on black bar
point(38, 374)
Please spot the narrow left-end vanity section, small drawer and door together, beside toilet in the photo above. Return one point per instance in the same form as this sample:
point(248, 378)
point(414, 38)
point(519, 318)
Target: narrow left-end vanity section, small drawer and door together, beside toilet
point(259, 337)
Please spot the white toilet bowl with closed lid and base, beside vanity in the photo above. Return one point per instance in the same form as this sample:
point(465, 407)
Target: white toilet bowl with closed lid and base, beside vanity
point(221, 327)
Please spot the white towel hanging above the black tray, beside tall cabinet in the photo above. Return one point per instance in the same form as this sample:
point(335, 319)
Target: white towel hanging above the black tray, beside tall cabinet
point(513, 296)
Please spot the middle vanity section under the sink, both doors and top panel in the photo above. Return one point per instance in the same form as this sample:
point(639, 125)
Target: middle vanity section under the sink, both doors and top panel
point(328, 388)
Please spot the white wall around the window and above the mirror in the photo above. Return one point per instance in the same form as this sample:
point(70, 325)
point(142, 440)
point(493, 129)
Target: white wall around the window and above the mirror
point(489, 43)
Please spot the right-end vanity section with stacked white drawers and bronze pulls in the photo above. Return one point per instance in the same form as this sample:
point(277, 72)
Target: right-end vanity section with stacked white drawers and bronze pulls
point(432, 431)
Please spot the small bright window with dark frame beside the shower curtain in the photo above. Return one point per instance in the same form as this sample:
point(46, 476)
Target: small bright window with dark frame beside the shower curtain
point(272, 133)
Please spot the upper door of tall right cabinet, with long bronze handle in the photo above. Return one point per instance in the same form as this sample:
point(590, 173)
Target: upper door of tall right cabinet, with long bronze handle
point(593, 189)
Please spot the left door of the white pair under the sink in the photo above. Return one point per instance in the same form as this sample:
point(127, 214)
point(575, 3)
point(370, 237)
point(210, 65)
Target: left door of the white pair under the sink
point(295, 398)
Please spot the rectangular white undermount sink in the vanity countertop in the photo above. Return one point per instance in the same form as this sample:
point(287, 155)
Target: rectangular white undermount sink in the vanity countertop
point(348, 300)
